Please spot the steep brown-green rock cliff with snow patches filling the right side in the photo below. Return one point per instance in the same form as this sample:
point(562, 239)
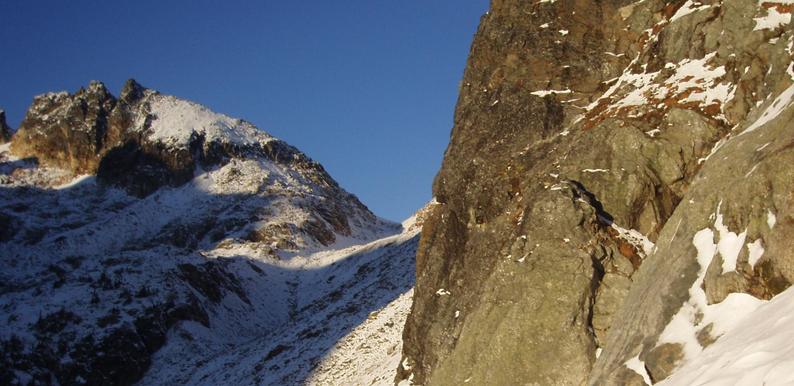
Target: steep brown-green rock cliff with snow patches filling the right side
point(593, 142)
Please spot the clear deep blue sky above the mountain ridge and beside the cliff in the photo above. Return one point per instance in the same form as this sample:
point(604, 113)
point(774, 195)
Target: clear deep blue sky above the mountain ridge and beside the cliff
point(367, 88)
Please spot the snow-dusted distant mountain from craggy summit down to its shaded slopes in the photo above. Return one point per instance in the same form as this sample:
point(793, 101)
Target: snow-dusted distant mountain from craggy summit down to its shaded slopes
point(136, 230)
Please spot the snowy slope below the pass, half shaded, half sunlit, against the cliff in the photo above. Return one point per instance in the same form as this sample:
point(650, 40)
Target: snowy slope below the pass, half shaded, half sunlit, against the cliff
point(349, 307)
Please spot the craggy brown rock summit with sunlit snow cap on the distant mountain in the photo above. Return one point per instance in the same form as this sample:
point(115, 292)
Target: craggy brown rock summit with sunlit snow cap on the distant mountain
point(90, 130)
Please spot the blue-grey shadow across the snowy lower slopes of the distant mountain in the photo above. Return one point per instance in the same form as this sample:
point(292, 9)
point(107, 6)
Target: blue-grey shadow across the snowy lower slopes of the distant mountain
point(89, 269)
